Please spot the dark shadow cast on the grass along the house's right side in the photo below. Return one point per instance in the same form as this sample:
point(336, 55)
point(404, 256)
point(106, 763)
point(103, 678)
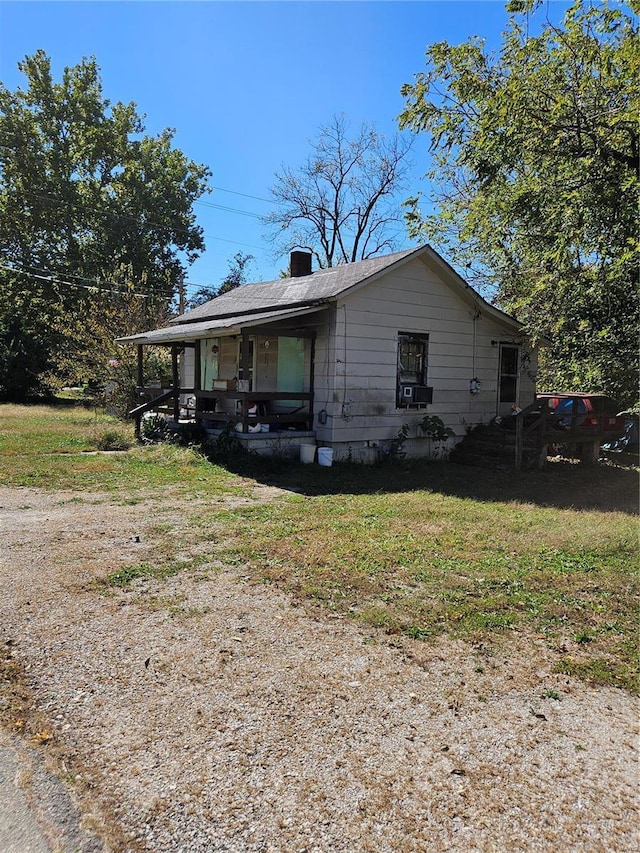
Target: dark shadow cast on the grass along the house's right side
point(609, 486)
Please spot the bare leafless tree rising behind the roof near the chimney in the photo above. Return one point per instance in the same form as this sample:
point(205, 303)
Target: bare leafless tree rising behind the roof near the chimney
point(342, 203)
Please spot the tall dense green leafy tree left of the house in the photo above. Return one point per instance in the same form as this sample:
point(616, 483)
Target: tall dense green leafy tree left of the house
point(84, 195)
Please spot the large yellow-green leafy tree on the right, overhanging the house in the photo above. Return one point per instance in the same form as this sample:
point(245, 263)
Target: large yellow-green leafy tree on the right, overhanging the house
point(535, 181)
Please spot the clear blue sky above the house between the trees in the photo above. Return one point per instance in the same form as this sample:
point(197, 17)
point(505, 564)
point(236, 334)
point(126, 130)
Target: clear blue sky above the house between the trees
point(247, 84)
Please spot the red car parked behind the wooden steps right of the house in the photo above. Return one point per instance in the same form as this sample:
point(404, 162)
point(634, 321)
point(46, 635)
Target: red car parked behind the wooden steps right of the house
point(594, 413)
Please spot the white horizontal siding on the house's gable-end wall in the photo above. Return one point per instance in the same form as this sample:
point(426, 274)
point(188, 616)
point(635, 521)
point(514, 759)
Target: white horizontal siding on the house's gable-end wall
point(361, 394)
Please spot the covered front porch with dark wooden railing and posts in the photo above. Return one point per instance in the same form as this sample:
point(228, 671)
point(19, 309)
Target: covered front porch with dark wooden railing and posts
point(257, 380)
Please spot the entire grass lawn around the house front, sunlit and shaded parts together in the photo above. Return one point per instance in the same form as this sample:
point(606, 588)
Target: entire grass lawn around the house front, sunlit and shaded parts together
point(419, 550)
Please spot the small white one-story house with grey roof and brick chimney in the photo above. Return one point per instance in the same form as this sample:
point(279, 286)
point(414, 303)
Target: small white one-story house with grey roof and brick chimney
point(344, 357)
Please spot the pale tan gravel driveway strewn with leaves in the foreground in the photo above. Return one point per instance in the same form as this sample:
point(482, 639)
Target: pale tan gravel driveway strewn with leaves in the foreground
point(208, 713)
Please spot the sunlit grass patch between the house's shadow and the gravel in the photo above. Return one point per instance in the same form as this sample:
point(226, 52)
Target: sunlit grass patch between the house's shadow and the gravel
point(423, 563)
